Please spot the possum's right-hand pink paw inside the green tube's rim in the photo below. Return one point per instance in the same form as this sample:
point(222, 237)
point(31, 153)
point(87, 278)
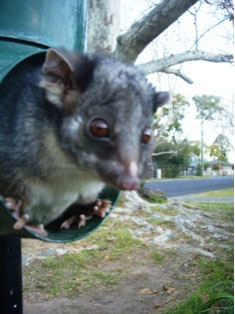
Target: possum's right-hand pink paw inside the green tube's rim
point(99, 208)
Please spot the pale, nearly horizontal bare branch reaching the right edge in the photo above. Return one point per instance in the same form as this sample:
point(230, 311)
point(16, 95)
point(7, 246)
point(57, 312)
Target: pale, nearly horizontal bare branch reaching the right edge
point(197, 55)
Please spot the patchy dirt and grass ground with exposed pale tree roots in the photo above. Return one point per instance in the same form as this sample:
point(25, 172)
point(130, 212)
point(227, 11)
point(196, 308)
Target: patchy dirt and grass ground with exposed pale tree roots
point(159, 270)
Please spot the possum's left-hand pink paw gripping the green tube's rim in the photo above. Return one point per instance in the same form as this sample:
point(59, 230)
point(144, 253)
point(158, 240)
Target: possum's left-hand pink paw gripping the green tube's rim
point(15, 206)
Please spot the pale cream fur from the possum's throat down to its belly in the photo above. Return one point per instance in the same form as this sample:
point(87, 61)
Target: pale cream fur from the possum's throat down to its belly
point(64, 185)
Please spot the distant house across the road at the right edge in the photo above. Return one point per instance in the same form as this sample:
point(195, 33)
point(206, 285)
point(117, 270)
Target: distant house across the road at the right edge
point(219, 167)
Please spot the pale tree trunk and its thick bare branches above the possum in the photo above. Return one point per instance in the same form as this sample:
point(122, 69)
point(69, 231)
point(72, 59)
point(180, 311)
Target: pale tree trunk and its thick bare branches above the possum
point(104, 21)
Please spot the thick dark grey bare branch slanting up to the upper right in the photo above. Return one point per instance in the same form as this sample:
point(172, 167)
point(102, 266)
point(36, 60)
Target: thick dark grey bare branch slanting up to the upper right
point(142, 32)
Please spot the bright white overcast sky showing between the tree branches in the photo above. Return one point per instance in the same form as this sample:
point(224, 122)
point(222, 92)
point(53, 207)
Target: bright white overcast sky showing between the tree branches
point(209, 78)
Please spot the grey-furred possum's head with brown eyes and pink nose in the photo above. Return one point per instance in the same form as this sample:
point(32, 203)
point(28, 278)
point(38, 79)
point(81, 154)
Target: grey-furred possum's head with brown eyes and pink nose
point(107, 108)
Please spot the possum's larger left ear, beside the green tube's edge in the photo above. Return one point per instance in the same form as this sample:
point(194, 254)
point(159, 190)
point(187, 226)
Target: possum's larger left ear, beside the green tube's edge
point(65, 75)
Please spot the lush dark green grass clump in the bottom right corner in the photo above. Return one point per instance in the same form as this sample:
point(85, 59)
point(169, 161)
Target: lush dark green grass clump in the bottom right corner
point(215, 294)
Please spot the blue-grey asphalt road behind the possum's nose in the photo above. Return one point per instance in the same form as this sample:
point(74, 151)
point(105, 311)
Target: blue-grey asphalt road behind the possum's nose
point(173, 188)
